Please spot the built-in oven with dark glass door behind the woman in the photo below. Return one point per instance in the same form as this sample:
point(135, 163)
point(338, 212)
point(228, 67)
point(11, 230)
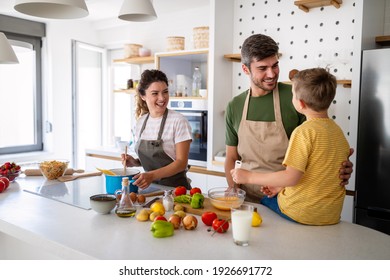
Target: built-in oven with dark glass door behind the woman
point(196, 113)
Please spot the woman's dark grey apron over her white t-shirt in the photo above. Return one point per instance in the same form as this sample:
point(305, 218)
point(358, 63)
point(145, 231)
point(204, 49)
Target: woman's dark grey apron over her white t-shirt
point(152, 156)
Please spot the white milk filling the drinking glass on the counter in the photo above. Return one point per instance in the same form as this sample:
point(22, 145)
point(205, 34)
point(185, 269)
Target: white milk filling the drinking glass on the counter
point(241, 225)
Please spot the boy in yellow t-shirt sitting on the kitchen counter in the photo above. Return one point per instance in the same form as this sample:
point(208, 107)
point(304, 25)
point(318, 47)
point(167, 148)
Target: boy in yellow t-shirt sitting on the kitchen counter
point(309, 190)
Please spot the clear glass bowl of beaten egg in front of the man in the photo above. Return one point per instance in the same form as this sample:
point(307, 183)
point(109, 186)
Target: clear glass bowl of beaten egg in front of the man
point(224, 200)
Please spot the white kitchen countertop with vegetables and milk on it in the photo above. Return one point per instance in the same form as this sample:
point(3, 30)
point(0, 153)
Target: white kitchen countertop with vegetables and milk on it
point(35, 227)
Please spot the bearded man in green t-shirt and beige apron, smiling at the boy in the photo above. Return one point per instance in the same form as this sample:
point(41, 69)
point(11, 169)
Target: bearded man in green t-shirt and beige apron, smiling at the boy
point(259, 121)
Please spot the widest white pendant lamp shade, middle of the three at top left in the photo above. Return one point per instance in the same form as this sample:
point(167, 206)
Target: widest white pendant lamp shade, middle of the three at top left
point(54, 9)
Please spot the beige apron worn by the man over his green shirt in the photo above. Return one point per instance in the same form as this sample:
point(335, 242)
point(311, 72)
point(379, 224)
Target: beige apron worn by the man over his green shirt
point(262, 145)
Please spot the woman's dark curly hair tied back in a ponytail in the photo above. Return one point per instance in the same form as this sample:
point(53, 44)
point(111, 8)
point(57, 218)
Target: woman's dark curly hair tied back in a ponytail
point(147, 78)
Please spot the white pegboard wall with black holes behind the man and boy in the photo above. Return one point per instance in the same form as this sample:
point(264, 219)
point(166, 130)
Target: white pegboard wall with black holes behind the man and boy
point(323, 37)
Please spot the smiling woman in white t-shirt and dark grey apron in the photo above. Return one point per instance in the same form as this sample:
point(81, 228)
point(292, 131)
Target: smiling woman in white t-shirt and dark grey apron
point(163, 136)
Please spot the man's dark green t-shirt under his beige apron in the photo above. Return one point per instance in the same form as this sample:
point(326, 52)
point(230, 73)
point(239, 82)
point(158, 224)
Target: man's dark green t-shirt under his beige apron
point(261, 109)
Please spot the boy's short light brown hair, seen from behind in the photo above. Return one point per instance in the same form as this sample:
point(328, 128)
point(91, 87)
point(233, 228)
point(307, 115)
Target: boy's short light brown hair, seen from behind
point(316, 87)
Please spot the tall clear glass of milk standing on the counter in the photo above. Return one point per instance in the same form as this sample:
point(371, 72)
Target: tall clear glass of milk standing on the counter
point(242, 224)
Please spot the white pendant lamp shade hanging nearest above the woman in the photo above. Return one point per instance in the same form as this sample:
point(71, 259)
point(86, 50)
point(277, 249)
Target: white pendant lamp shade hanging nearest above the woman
point(137, 10)
